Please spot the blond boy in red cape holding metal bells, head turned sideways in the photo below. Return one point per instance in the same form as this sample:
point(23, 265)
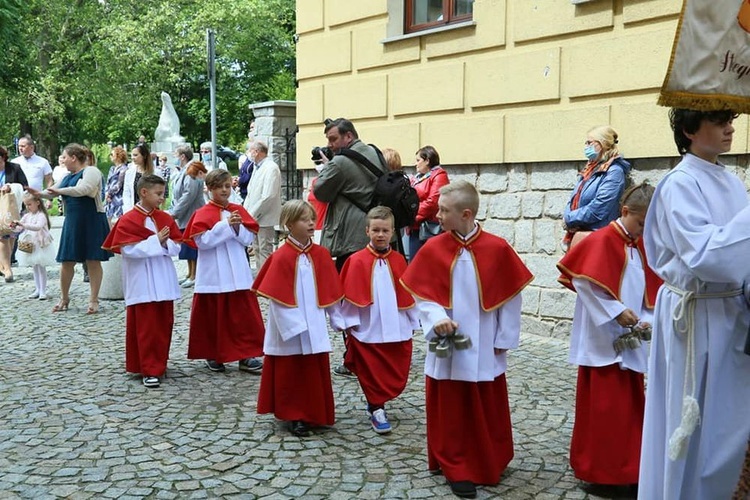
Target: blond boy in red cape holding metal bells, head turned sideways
point(469, 282)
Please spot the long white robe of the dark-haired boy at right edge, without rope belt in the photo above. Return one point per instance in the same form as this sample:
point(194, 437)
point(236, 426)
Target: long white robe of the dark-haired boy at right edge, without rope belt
point(697, 239)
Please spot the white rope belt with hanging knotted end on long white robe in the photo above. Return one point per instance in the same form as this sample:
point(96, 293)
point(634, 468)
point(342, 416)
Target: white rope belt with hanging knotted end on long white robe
point(683, 318)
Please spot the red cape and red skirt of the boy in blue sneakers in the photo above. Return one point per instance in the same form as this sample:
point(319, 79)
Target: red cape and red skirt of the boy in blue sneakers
point(381, 368)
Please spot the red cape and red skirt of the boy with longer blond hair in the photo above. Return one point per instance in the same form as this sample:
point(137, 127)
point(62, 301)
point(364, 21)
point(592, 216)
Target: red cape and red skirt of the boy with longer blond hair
point(298, 387)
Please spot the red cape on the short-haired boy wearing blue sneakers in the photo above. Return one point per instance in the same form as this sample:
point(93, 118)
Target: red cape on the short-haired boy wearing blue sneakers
point(356, 276)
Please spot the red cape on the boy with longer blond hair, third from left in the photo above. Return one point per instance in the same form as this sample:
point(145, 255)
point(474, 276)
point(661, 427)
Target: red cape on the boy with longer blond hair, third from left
point(277, 279)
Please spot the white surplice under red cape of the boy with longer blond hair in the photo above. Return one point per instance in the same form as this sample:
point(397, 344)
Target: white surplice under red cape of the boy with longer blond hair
point(301, 329)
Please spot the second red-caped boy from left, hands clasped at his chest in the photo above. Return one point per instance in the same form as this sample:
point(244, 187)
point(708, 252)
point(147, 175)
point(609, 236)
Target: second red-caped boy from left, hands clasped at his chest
point(225, 320)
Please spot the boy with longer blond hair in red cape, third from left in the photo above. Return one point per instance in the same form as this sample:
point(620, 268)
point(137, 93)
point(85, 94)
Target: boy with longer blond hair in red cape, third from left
point(301, 281)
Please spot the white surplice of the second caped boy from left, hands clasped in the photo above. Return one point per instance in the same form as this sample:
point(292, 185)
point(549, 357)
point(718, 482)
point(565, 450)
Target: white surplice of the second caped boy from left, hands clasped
point(222, 259)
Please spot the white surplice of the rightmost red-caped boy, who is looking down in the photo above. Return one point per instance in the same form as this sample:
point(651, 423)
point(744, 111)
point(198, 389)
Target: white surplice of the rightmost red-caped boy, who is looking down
point(594, 326)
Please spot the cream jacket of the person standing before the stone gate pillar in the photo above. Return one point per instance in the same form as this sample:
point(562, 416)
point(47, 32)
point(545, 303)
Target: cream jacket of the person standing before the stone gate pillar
point(263, 199)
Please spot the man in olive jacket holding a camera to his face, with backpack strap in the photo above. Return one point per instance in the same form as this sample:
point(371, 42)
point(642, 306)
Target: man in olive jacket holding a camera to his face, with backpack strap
point(347, 187)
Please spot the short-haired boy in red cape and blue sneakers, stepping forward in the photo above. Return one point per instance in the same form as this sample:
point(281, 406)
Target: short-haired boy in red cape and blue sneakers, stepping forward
point(380, 317)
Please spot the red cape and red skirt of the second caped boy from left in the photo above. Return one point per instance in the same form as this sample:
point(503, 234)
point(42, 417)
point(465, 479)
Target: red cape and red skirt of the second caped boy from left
point(233, 329)
